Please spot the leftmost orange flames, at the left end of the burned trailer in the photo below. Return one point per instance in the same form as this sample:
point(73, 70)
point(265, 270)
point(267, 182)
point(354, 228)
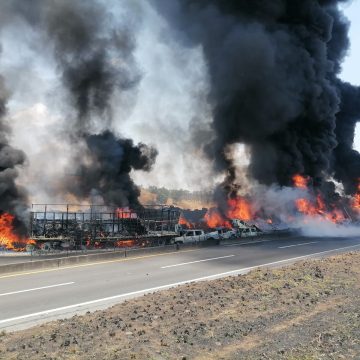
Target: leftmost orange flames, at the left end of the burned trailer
point(8, 239)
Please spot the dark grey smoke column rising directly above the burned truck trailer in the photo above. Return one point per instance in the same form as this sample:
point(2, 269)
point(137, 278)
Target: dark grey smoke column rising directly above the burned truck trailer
point(94, 54)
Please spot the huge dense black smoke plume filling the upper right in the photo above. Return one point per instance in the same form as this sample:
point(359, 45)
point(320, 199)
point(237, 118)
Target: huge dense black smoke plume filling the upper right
point(272, 66)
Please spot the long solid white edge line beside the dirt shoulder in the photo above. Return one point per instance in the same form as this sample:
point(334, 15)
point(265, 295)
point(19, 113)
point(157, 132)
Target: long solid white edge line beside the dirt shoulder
point(232, 272)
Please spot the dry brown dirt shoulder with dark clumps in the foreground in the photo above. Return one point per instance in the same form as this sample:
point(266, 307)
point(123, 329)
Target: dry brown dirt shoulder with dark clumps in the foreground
point(309, 310)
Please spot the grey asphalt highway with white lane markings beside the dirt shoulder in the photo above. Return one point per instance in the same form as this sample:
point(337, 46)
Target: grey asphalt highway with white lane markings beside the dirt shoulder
point(35, 297)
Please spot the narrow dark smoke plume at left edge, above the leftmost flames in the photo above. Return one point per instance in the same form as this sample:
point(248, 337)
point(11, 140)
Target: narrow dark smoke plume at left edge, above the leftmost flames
point(13, 198)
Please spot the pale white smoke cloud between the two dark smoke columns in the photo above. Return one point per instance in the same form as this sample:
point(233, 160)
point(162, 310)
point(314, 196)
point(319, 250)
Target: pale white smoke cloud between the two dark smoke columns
point(170, 109)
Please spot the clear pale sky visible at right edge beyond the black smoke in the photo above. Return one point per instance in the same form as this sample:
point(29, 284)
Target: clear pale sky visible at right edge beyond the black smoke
point(351, 65)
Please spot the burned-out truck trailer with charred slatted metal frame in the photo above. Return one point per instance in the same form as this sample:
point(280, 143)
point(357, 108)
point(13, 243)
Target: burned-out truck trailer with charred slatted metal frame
point(101, 226)
